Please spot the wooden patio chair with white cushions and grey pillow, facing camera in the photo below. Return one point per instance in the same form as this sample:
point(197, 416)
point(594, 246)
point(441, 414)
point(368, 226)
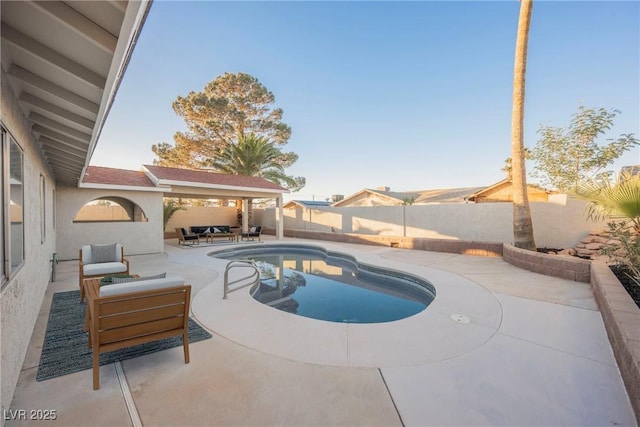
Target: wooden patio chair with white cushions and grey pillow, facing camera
point(99, 261)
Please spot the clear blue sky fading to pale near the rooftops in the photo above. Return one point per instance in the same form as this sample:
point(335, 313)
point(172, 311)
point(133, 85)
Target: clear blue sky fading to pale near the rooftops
point(409, 95)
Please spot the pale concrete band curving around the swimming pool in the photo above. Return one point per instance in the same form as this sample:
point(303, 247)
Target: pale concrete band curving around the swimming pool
point(376, 345)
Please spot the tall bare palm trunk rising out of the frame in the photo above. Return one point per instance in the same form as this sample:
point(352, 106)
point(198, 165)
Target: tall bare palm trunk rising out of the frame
point(522, 223)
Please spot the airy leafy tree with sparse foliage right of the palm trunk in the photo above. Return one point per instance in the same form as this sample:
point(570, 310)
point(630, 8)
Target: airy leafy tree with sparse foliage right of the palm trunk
point(566, 157)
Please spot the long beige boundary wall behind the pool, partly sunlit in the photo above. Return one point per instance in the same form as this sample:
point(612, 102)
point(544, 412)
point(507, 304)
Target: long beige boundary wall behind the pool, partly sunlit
point(558, 224)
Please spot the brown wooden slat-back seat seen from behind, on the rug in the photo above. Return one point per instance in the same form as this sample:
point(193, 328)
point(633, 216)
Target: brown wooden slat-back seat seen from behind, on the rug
point(127, 314)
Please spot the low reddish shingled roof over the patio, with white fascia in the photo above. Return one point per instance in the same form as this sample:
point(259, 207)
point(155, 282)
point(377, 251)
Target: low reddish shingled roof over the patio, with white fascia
point(177, 182)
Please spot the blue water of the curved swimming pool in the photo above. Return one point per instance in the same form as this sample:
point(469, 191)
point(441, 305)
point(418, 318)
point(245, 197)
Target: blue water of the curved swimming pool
point(312, 282)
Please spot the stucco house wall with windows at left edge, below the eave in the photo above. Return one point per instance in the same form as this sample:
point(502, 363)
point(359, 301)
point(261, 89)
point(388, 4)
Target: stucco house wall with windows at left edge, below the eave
point(21, 297)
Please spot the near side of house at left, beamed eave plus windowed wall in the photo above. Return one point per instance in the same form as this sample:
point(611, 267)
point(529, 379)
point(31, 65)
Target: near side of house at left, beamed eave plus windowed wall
point(61, 66)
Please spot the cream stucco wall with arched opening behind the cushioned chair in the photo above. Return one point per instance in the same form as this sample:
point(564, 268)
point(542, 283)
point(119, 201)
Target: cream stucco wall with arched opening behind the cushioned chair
point(135, 237)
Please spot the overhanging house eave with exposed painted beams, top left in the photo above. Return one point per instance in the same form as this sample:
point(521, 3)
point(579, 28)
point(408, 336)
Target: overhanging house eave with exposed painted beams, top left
point(64, 61)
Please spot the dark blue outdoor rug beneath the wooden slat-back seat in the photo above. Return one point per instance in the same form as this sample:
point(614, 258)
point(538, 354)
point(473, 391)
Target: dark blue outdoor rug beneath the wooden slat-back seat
point(65, 349)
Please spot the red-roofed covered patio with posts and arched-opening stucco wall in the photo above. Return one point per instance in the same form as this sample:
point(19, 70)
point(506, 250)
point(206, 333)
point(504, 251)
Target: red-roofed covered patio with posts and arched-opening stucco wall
point(144, 191)
